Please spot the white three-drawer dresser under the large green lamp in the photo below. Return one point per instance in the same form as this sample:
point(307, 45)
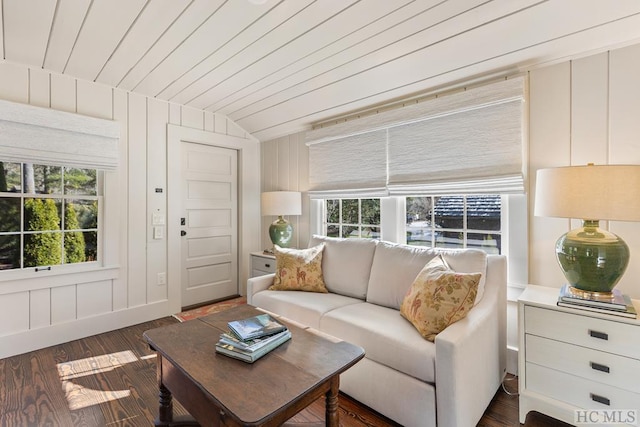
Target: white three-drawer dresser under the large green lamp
point(572, 359)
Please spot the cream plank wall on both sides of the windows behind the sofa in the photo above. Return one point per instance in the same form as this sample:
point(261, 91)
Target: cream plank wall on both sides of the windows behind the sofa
point(582, 110)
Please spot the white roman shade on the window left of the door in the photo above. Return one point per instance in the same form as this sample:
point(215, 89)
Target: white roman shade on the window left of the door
point(44, 136)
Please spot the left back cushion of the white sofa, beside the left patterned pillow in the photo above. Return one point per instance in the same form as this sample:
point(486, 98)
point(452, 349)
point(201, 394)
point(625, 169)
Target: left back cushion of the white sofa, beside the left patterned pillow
point(346, 264)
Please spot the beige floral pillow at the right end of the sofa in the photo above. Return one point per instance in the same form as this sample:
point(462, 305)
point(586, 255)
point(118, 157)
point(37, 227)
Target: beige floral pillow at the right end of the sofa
point(439, 297)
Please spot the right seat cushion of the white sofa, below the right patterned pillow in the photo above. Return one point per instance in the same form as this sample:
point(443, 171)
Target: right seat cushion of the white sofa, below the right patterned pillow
point(386, 337)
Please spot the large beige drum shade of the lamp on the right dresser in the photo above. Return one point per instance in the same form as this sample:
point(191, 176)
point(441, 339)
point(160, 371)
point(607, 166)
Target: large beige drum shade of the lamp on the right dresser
point(594, 192)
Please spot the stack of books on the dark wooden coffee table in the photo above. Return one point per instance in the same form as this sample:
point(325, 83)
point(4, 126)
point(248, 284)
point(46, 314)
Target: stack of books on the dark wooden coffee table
point(250, 339)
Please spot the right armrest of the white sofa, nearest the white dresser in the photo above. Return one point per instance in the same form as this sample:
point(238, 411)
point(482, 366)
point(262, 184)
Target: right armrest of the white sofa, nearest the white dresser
point(470, 358)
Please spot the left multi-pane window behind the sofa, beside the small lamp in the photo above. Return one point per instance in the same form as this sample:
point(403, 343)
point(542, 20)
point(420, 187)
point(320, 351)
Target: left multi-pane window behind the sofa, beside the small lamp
point(352, 218)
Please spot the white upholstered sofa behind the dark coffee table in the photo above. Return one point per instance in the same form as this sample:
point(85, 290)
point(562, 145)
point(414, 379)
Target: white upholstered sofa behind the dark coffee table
point(448, 382)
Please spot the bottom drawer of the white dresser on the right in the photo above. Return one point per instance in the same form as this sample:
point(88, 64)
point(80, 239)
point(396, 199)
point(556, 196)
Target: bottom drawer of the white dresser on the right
point(578, 391)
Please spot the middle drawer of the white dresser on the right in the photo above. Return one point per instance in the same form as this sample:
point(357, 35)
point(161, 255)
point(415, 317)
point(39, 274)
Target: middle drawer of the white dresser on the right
point(607, 368)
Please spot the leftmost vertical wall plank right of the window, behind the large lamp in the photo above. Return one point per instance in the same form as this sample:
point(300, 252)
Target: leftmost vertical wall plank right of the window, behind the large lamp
point(549, 145)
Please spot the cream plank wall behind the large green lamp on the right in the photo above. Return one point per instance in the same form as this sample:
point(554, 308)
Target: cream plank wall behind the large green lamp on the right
point(581, 111)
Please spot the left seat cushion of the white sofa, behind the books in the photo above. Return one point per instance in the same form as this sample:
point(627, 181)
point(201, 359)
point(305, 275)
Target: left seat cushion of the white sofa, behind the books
point(303, 307)
